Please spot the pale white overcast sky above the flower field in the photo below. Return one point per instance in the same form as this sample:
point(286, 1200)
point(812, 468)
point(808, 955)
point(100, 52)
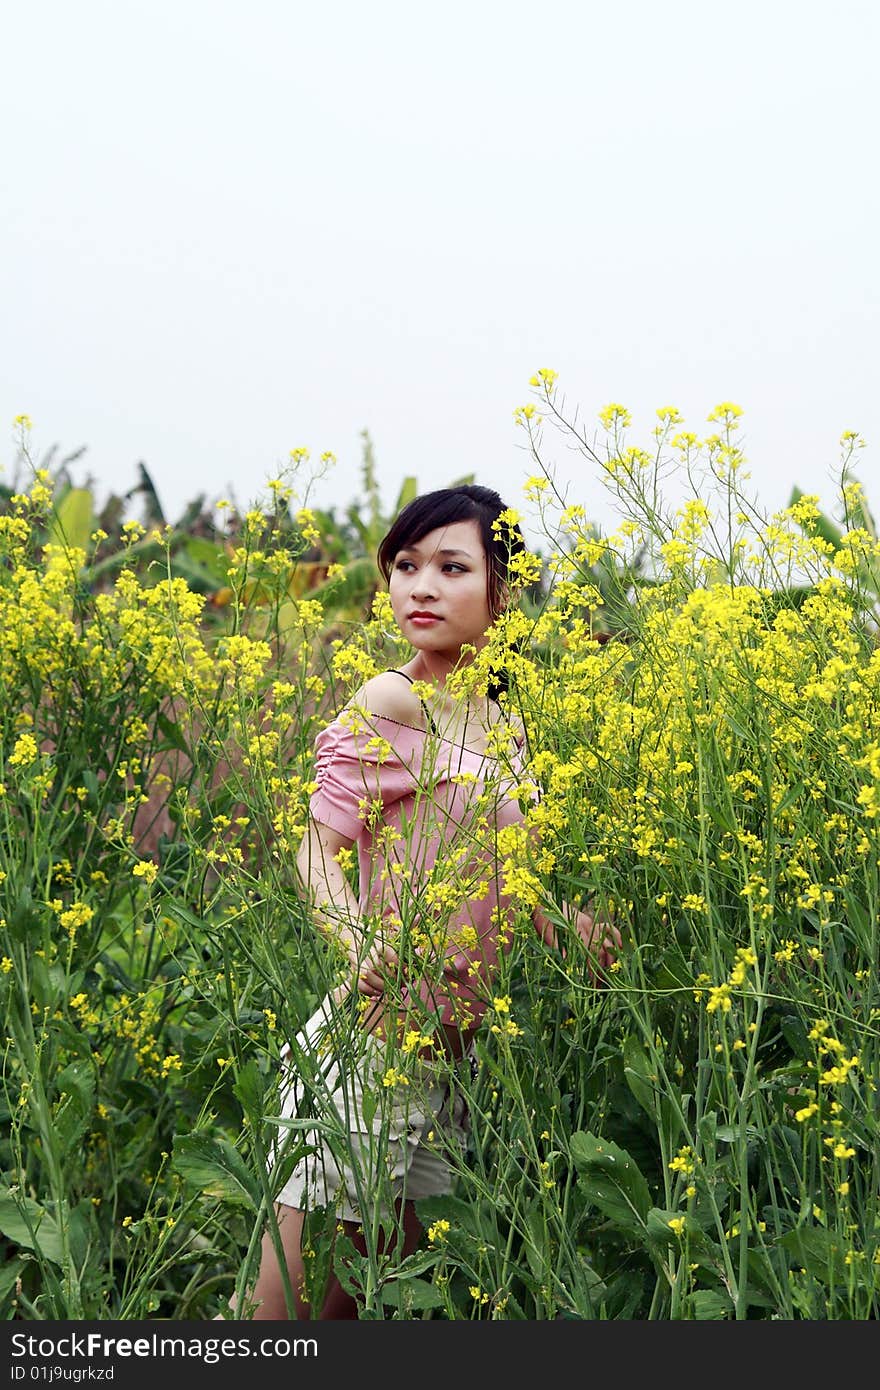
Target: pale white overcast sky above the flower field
point(230, 230)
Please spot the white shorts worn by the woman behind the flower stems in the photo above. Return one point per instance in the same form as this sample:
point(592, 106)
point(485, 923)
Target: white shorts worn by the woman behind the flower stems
point(380, 1127)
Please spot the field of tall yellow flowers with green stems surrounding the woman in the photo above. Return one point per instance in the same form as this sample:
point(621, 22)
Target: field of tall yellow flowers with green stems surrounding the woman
point(697, 1139)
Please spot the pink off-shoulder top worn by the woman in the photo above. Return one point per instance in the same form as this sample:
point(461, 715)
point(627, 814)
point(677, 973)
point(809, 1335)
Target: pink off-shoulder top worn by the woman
point(425, 814)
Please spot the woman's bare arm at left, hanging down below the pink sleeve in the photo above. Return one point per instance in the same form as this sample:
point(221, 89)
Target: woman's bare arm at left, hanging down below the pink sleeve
point(336, 908)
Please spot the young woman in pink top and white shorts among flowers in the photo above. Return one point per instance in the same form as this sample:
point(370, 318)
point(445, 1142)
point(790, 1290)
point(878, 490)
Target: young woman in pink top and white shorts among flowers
point(422, 785)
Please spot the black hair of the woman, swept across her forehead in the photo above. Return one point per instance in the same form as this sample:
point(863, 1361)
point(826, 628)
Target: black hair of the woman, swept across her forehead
point(468, 502)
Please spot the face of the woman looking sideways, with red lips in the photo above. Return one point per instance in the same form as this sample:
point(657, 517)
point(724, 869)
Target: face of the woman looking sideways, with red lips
point(443, 576)
